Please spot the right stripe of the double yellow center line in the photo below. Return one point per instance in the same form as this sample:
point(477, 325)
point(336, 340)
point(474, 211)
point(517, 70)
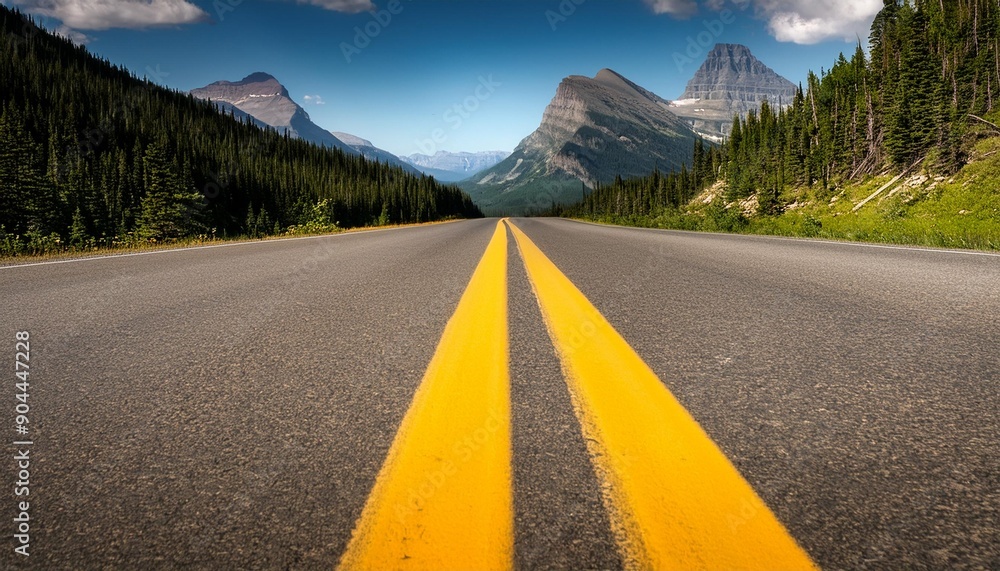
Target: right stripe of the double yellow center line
point(675, 500)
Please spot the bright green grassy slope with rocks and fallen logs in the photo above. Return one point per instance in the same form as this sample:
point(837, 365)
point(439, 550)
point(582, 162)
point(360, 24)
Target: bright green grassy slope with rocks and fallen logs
point(960, 211)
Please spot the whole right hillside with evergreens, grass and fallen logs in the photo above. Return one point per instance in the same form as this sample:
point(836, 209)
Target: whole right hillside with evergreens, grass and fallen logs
point(907, 121)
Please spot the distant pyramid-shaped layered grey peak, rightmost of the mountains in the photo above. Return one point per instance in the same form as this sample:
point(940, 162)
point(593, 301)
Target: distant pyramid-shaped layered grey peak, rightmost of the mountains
point(730, 82)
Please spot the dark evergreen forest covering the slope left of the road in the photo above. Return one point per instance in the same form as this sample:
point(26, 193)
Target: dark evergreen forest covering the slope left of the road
point(92, 155)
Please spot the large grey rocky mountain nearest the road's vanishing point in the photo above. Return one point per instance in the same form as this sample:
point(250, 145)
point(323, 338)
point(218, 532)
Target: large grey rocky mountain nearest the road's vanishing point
point(594, 130)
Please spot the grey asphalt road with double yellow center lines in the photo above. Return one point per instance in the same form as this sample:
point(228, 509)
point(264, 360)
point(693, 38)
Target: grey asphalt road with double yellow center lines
point(255, 405)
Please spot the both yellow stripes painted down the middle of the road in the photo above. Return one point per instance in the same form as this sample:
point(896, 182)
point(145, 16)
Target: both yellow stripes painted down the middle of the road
point(444, 497)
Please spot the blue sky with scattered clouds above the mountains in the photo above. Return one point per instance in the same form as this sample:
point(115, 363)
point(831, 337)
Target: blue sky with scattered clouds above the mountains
point(476, 73)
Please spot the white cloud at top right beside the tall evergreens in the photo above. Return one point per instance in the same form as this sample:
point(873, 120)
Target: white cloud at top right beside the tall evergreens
point(797, 21)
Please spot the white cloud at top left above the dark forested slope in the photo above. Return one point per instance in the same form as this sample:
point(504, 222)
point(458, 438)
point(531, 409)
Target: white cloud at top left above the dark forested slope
point(106, 14)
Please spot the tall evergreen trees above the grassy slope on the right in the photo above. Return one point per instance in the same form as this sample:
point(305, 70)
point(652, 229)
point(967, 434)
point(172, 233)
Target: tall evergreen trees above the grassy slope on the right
point(933, 72)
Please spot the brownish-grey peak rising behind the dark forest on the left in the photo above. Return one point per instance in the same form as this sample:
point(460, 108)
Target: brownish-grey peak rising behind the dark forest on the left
point(262, 97)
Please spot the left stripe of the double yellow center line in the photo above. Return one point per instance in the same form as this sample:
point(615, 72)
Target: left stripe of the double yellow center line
point(444, 497)
